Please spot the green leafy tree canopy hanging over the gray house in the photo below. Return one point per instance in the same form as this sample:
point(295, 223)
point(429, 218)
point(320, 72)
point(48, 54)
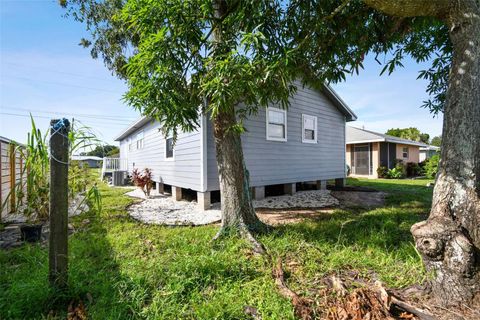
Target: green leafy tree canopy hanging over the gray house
point(166, 52)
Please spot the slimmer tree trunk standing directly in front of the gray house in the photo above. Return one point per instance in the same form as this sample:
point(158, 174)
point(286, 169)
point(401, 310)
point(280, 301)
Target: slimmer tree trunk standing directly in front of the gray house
point(238, 214)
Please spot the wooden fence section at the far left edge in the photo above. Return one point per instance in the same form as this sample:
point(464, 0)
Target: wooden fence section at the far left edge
point(11, 169)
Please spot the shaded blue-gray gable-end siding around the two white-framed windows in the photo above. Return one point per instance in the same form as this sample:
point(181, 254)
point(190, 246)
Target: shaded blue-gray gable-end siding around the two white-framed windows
point(273, 162)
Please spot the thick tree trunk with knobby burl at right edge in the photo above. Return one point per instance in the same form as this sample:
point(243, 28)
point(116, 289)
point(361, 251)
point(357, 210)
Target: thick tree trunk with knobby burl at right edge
point(449, 241)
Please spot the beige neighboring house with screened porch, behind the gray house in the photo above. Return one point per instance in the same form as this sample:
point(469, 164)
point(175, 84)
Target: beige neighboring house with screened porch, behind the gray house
point(368, 150)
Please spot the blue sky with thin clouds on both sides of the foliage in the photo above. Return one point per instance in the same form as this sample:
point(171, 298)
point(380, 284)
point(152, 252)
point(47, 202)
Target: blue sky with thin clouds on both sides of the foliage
point(43, 71)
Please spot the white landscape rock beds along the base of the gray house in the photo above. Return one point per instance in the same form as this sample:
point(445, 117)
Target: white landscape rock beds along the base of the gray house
point(161, 209)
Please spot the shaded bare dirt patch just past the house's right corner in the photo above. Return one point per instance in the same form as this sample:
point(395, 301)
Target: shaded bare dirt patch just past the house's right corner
point(369, 199)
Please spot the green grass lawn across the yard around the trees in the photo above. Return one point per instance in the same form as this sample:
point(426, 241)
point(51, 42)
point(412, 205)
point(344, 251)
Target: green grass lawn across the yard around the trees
point(136, 271)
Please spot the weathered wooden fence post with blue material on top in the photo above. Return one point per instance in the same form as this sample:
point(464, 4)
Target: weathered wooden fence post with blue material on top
point(58, 240)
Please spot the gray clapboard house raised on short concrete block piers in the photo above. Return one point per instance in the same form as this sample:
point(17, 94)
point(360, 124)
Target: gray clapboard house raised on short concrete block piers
point(281, 148)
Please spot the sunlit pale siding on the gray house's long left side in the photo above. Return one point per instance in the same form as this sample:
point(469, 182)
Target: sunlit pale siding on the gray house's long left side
point(183, 171)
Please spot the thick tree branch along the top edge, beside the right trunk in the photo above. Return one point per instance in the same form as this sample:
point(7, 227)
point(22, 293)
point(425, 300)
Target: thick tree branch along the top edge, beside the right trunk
point(410, 8)
